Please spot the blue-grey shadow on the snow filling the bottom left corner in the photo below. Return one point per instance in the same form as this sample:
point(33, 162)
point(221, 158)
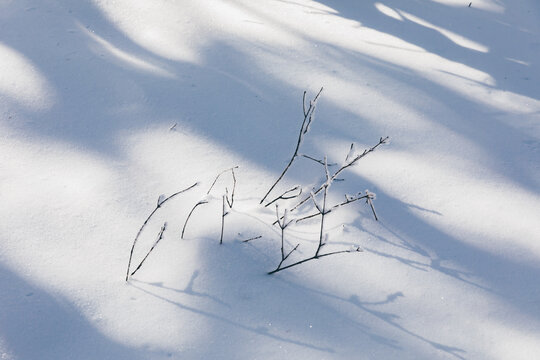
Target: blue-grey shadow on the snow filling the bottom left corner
point(36, 324)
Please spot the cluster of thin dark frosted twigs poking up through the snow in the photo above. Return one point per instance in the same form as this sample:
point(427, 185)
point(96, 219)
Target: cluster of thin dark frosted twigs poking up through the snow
point(318, 196)
